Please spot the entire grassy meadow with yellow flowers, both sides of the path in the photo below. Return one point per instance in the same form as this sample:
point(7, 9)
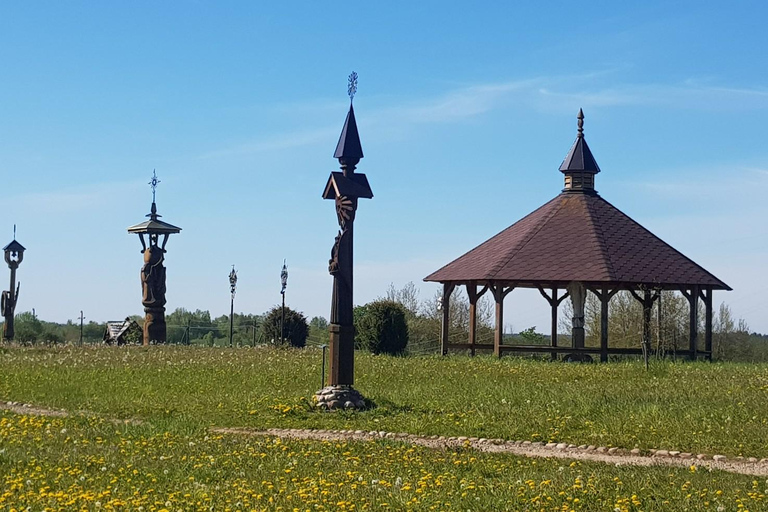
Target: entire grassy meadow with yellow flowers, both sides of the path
point(171, 461)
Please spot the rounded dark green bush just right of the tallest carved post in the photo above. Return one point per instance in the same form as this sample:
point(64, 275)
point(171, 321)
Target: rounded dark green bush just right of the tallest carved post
point(381, 327)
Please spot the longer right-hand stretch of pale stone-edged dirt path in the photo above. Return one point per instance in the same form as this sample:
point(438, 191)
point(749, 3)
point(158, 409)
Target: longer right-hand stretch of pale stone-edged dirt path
point(618, 458)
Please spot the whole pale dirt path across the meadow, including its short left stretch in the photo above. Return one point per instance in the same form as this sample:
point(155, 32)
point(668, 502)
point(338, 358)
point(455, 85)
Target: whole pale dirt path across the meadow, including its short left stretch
point(617, 457)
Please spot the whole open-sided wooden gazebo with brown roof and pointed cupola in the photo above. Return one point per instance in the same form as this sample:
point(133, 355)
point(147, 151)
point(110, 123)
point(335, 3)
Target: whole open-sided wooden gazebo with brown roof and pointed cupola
point(577, 243)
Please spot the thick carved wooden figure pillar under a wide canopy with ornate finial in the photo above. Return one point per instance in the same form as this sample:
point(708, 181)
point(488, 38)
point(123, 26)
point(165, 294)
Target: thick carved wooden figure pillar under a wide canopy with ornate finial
point(153, 271)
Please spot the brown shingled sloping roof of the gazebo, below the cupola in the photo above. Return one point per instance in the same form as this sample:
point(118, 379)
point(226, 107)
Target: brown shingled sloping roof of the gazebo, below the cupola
point(577, 237)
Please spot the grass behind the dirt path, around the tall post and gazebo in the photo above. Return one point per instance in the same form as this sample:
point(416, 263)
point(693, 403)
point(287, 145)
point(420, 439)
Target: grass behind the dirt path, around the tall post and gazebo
point(696, 407)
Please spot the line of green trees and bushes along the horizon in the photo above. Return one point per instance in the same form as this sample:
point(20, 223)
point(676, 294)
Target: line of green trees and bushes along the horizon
point(401, 322)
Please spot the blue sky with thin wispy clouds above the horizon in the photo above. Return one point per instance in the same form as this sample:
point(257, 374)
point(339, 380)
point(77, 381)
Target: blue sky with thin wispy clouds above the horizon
point(465, 111)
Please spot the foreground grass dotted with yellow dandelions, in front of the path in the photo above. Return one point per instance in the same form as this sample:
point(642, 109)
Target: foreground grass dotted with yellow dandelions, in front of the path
point(92, 464)
